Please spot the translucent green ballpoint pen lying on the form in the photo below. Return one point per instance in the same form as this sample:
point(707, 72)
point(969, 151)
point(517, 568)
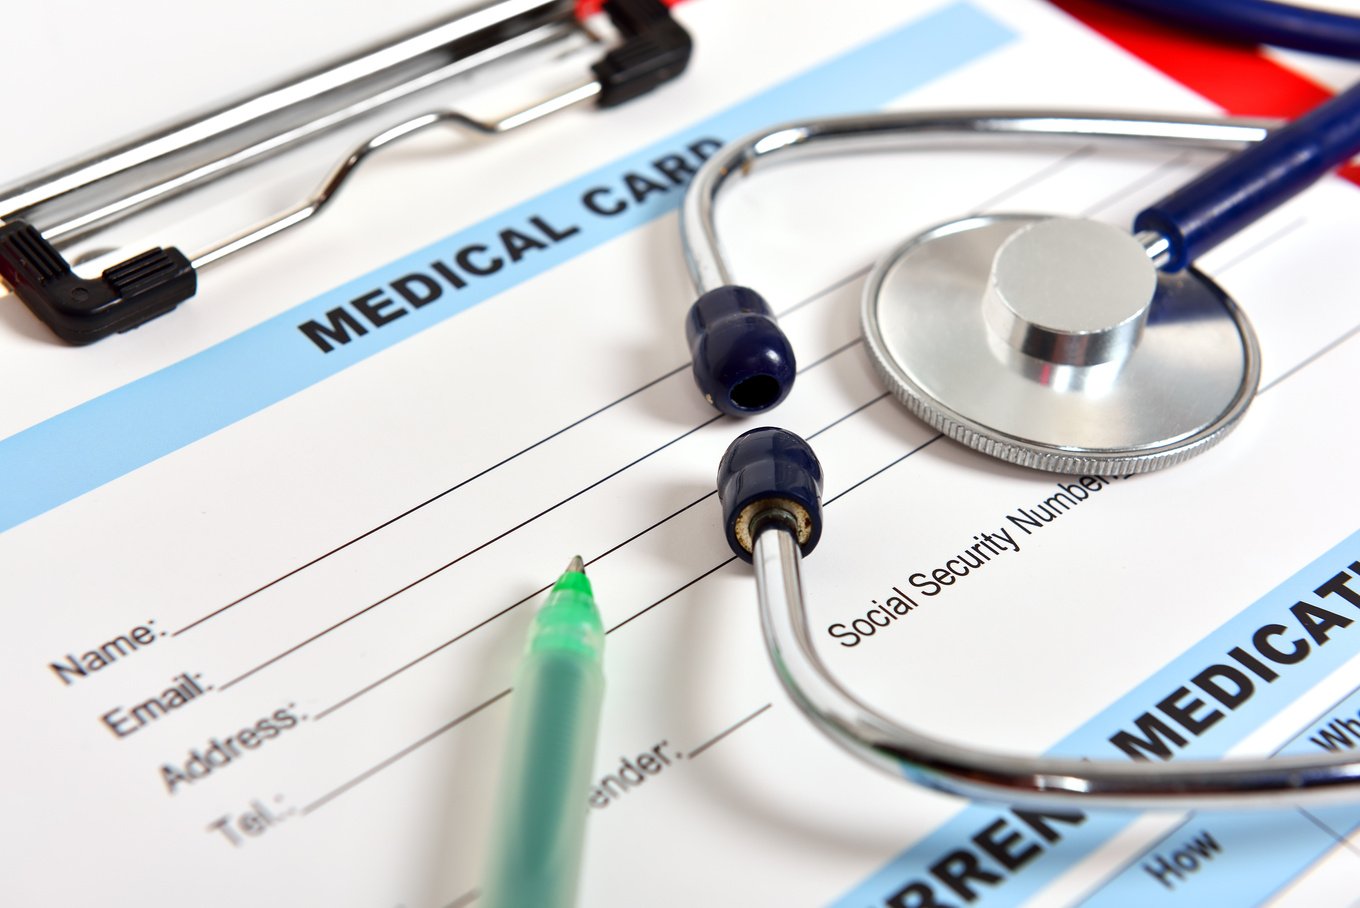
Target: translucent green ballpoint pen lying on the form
point(554, 718)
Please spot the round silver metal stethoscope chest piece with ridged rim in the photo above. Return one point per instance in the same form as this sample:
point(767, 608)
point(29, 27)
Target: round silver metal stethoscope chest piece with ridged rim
point(1056, 343)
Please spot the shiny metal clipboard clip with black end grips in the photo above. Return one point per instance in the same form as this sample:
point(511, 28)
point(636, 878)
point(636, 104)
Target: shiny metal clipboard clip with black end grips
point(61, 206)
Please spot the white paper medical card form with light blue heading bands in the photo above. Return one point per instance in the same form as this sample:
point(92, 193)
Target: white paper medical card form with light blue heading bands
point(330, 558)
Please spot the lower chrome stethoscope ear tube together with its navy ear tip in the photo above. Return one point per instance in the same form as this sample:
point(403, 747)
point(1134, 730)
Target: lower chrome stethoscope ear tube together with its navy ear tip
point(770, 489)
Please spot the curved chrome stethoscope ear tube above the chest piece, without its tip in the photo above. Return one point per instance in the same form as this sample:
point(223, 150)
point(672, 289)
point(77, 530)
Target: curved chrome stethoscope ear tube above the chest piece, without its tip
point(920, 131)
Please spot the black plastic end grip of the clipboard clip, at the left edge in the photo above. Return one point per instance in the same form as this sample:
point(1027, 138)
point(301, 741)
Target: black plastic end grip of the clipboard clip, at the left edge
point(84, 311)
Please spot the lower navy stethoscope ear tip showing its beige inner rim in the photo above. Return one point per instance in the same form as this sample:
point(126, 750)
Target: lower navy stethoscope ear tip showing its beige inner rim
point(770, 471)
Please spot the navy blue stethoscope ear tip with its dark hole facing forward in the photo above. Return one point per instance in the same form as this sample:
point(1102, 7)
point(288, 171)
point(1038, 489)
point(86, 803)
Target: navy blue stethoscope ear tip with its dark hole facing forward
point(743, 364)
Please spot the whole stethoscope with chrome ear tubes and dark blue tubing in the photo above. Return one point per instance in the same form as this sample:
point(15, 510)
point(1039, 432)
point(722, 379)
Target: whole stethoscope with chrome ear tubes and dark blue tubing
point(1055, 343)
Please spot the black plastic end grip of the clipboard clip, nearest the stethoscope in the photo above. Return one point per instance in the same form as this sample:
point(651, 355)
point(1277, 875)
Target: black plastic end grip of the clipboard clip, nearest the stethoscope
point(656, 50)
